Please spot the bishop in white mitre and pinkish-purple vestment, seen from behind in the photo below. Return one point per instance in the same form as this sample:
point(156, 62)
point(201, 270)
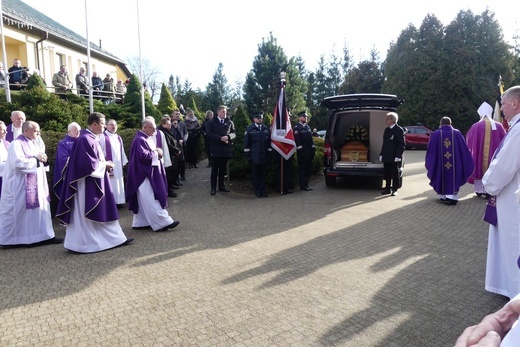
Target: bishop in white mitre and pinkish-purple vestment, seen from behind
point(483, 138)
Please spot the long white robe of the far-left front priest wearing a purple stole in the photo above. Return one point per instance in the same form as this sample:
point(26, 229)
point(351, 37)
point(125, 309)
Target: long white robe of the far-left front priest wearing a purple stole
point(20, 225)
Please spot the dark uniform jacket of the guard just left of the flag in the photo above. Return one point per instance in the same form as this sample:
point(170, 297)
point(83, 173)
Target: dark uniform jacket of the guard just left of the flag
point(257, 144)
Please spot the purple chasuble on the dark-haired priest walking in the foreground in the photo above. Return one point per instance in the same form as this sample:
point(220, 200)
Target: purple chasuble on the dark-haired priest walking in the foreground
point(100, 204)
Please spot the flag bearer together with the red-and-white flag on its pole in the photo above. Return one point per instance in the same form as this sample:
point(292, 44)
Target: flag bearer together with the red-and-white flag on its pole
point(282, 140)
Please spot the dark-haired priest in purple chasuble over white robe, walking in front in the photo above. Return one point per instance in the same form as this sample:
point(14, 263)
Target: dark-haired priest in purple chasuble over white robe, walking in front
point(86, 203)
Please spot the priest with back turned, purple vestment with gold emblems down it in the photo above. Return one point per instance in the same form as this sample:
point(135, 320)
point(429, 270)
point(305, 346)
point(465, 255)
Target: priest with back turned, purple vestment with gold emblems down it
point(448, 161)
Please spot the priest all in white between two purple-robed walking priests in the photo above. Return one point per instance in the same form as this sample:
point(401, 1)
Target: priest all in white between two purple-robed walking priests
point(114, 151)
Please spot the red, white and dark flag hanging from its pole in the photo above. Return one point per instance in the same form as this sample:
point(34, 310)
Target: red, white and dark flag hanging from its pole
point(282, 136)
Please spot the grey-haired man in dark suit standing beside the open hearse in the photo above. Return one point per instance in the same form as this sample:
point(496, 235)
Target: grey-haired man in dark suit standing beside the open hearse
point(392, 153)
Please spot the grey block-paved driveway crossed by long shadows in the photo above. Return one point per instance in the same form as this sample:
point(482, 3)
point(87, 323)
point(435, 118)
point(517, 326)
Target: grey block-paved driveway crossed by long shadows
point(340, 266)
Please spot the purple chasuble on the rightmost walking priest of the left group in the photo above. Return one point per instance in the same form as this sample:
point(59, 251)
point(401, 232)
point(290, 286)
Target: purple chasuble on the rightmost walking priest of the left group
point(139, 168)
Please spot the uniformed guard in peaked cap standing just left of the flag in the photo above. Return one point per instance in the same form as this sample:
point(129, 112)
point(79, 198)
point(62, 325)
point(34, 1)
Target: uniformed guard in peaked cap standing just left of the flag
point(257, 148)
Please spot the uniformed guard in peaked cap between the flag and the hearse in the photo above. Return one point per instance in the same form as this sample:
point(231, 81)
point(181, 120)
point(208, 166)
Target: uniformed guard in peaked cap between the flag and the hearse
point(305, 150)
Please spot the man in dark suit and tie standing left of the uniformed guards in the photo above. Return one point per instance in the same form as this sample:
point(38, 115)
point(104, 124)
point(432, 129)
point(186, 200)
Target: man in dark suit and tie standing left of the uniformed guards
point(220, 131)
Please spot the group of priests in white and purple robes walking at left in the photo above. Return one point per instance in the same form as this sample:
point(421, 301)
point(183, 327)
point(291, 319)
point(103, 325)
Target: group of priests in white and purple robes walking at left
point(88, 183)
